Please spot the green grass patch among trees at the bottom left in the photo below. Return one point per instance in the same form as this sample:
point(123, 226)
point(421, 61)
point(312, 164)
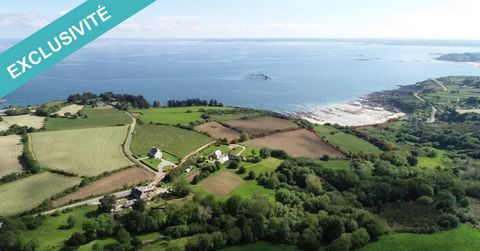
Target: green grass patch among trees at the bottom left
point(54, 230)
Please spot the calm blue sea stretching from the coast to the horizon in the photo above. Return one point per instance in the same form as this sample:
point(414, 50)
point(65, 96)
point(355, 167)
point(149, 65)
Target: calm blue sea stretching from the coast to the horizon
point(305, 73)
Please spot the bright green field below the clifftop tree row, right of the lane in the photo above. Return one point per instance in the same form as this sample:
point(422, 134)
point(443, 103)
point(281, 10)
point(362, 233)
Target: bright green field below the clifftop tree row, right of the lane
point(174, 116)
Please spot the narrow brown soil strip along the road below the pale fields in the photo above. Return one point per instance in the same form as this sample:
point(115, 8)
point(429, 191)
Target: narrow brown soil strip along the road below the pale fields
point(114, 182)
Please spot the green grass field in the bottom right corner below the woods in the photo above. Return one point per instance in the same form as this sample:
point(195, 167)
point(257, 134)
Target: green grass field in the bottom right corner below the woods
point(464, 238)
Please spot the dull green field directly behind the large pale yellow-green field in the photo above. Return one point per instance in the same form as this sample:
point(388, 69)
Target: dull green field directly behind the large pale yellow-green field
point(96, 117)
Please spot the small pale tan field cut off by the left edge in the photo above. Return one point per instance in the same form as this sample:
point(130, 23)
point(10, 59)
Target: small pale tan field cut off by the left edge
point(11, 148)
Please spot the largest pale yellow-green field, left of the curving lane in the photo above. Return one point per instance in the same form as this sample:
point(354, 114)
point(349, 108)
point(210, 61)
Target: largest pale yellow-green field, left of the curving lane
point(86, 152)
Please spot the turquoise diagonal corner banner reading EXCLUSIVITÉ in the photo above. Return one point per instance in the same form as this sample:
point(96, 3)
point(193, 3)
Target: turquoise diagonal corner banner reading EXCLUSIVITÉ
point(64, 36)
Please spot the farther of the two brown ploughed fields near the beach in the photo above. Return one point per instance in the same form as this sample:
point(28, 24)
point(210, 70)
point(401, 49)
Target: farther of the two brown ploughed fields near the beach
point(262, 125)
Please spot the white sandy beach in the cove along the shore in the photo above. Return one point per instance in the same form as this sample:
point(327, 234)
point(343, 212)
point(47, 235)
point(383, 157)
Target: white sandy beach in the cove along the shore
point(349, 114)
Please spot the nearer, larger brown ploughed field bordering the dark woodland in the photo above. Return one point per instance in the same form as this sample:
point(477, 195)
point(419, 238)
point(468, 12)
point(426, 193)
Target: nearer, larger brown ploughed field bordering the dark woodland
point(299, 143)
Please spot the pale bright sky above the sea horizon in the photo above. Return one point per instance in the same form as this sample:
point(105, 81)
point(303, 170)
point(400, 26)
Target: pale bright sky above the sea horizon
point(399, 19)
